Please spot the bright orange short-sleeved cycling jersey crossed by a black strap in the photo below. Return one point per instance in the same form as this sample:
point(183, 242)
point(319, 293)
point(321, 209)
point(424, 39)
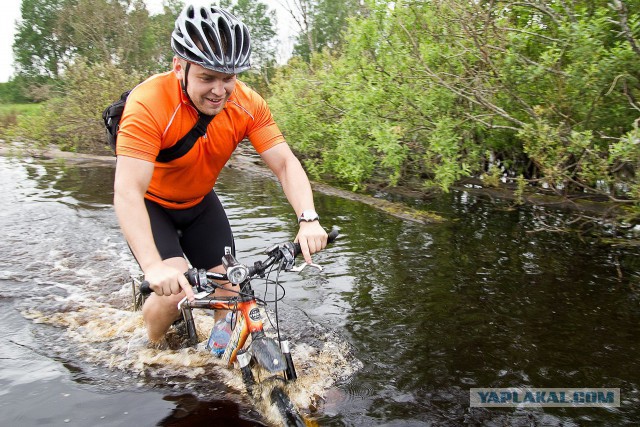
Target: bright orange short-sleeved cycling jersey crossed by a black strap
point(158, 114)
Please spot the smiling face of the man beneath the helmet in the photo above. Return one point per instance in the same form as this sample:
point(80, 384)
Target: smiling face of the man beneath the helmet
point(209, 90)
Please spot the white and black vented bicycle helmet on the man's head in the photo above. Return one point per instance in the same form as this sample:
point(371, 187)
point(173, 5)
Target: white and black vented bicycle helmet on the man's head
point(212, 38)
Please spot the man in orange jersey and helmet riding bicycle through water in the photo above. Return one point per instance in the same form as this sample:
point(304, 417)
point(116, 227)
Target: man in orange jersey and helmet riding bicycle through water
point(169, 211)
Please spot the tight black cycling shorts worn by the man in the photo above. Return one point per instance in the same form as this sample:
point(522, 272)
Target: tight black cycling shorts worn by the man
point(200, 233)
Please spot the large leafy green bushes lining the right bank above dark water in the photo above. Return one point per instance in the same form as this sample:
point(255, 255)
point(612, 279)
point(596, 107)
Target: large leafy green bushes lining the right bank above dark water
point(427, 93)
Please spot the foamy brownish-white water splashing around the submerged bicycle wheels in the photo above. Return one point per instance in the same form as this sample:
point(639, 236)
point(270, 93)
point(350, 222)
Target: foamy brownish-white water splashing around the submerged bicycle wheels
point(115, 338)
